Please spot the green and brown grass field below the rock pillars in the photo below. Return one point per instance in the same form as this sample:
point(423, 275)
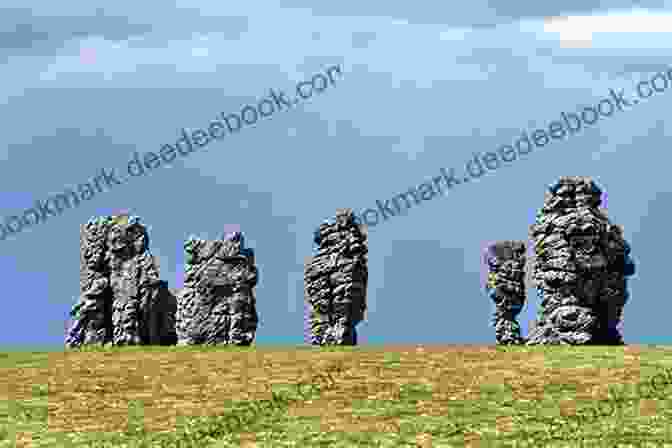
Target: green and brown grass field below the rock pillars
point(386, 396)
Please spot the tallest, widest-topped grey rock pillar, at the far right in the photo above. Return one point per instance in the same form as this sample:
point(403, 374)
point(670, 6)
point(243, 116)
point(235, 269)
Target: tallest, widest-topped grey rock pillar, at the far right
point(570, 238)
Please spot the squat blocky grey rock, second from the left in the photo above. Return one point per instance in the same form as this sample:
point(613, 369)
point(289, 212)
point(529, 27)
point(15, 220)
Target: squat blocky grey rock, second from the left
point(217, 304)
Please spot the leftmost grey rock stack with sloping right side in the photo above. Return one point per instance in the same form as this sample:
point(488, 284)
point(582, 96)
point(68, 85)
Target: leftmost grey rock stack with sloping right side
point(122, 299)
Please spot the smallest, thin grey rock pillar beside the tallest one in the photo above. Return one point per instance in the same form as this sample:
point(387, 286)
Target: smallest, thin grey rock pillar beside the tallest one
point(506, 288)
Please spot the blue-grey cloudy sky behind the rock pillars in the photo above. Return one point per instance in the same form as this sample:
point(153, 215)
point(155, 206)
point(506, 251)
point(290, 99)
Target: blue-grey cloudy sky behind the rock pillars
point(423, 87)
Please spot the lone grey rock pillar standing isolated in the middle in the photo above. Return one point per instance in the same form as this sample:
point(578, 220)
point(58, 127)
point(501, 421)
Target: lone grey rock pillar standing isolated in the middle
point(336, 279)
